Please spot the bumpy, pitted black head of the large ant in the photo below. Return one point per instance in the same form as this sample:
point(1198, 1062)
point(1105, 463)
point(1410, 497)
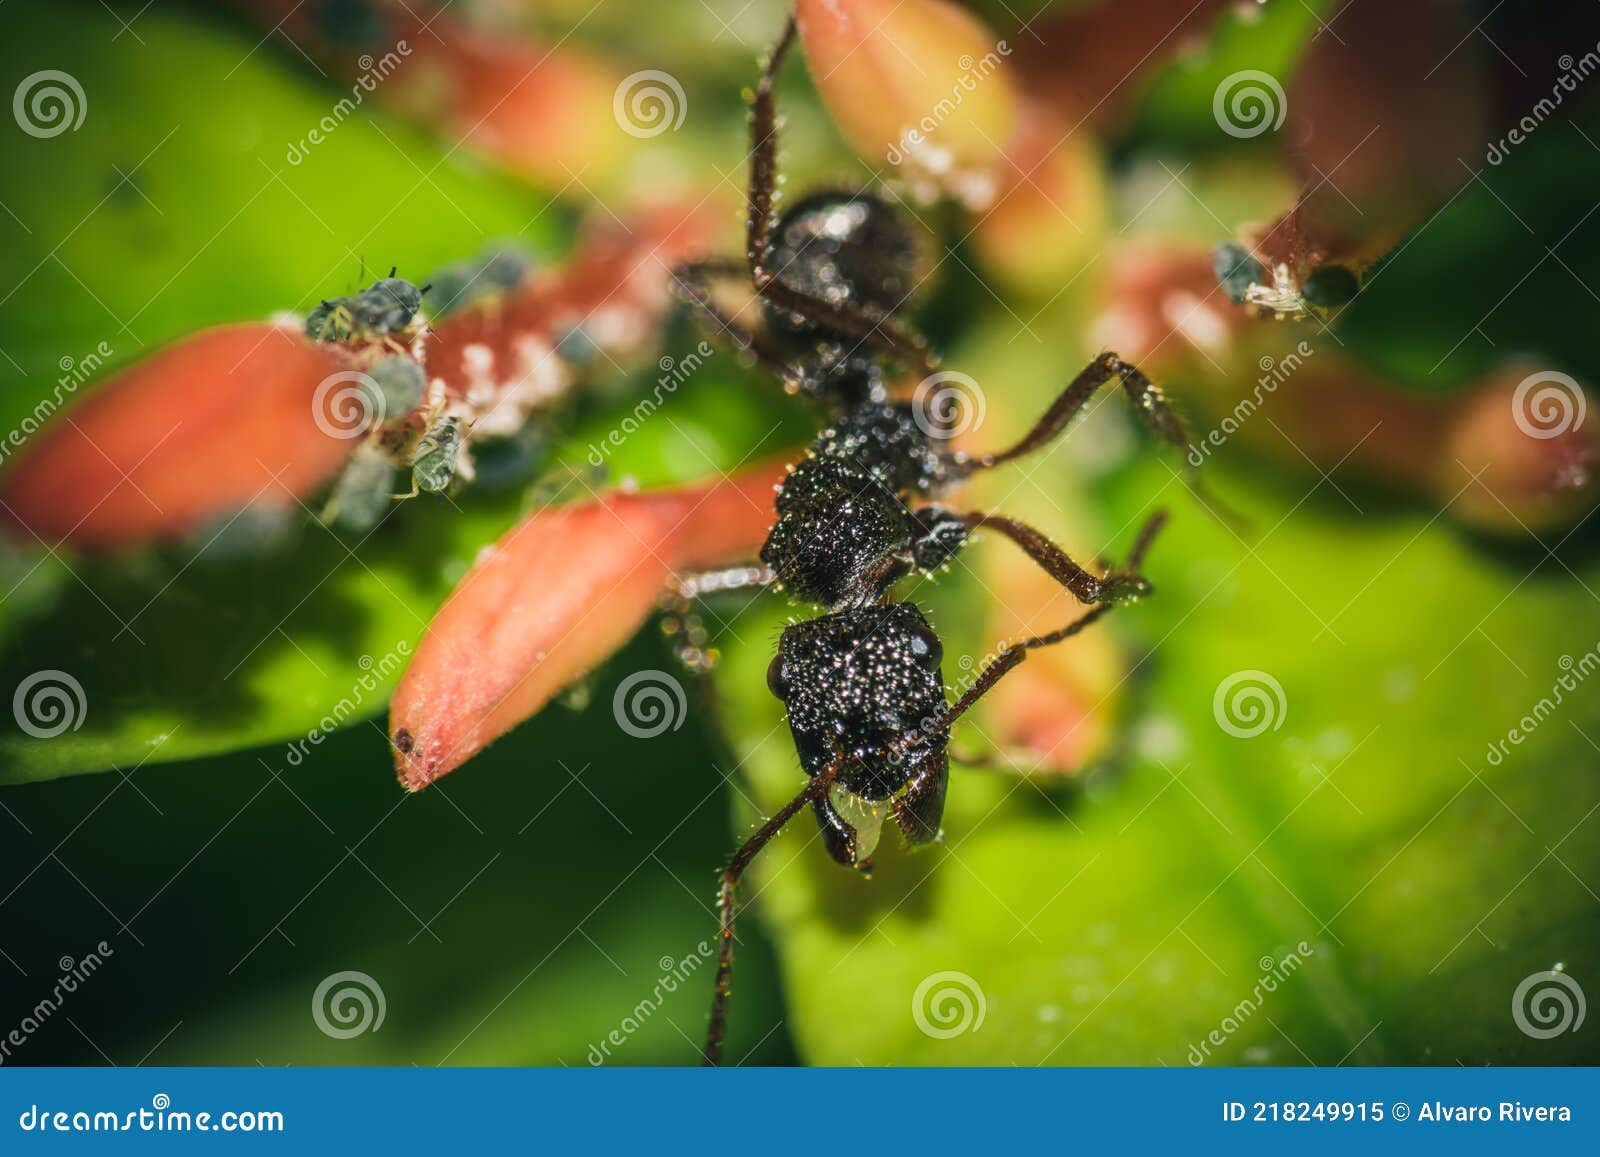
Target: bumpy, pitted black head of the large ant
point(862, 683)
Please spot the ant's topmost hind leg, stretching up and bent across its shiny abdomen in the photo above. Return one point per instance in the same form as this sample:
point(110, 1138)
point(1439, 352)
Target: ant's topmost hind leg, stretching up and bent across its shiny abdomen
point(879, 332)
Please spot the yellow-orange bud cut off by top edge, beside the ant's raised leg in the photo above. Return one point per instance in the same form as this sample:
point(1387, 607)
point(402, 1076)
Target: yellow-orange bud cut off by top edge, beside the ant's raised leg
point(918, 84)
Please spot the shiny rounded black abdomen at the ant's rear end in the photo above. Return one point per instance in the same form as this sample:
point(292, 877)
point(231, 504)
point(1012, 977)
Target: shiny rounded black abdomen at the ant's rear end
point(849, 249)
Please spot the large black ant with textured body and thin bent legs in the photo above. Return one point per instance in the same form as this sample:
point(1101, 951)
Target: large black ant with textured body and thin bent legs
point(862, 684)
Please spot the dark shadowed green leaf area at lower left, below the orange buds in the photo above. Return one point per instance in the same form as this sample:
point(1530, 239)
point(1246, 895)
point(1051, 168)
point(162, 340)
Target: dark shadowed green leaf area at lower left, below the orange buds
point(478, 908)
